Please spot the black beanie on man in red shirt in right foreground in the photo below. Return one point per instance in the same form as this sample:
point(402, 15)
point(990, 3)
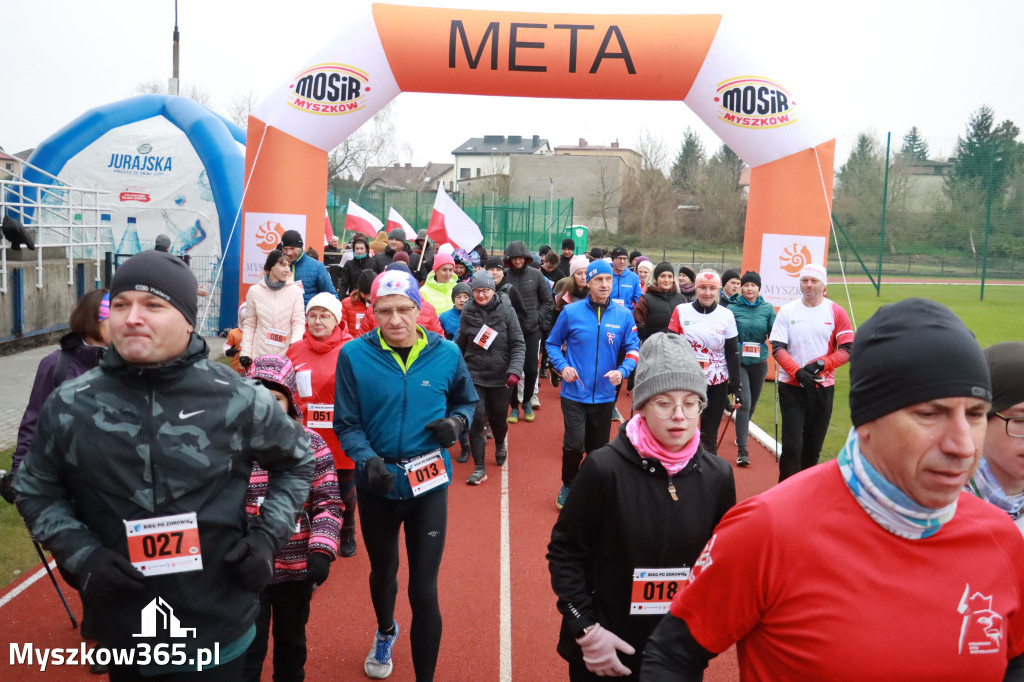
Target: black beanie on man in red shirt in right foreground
point(914, 352)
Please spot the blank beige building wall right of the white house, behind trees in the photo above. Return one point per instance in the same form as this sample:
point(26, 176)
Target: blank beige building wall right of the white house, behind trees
point(590, 181)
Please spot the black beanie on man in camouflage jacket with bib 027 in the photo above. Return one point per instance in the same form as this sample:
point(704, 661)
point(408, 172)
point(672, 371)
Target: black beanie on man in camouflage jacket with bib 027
point(162, 275)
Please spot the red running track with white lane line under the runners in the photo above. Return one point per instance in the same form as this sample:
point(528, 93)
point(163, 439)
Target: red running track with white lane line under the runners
point(485, 595)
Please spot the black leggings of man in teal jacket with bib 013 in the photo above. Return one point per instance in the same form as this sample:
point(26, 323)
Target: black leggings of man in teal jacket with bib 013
point(425, 520)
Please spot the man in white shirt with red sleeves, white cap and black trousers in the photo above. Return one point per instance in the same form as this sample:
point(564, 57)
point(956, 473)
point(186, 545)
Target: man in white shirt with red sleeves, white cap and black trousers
point(810, 338)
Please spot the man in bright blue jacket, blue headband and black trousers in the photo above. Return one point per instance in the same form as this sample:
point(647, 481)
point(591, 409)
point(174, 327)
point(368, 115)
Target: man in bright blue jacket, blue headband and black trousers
point(596, 332)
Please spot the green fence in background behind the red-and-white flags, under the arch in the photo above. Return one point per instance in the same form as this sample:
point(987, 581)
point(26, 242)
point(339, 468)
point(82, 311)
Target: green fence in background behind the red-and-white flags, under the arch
point(534, 222)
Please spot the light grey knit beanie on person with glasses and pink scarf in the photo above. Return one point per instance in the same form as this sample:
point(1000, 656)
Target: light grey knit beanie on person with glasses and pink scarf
point(667, 364)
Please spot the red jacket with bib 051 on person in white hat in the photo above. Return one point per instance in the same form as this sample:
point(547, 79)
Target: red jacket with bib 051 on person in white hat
point(316, 363)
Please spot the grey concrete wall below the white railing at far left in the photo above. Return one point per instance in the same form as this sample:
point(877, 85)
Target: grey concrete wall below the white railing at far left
point(48, 309)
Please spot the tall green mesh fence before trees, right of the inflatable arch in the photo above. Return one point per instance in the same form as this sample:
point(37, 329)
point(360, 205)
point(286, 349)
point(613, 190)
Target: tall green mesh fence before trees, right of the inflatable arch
point(899, 215)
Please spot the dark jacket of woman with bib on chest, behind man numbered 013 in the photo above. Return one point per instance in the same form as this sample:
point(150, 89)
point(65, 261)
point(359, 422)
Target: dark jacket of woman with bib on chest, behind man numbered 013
point(507, 354)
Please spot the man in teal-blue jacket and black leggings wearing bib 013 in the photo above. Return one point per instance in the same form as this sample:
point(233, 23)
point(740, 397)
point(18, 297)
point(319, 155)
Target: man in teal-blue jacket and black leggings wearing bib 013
point(397, 418)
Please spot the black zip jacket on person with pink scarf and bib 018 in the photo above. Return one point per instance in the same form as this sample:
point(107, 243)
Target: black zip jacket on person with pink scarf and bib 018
point(619, 517)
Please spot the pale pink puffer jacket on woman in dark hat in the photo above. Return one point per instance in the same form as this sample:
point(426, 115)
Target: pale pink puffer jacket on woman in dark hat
point(275, 320)
